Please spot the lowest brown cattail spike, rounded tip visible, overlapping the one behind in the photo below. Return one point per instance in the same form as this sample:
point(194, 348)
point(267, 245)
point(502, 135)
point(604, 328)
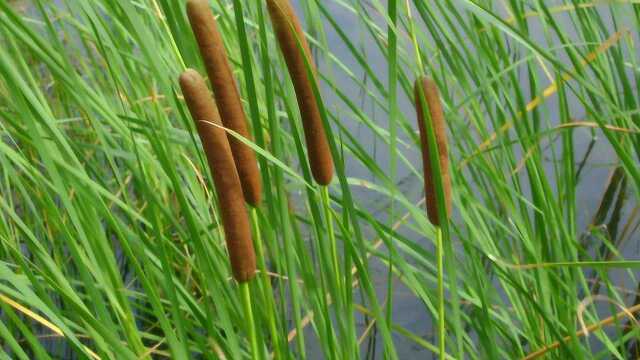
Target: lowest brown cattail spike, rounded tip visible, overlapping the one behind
point(225, 177)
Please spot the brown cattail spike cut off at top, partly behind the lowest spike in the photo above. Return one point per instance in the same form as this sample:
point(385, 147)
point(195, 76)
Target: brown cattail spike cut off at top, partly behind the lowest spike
point(225, 91)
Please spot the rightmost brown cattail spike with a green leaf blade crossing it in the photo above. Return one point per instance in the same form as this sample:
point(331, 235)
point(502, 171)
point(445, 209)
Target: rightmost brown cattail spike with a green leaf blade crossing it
point(435, 165)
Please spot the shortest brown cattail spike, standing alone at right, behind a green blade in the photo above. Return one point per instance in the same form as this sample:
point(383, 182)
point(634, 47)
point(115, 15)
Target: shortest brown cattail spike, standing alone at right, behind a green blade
point(426, 90)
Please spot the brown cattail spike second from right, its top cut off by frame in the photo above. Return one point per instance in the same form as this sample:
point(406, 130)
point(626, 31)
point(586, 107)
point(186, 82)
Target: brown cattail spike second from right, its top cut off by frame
point(289, 33)
